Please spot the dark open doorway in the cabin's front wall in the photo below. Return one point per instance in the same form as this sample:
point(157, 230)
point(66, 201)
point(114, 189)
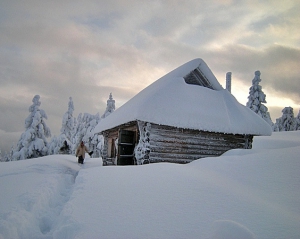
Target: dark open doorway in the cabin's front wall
point(126, 143)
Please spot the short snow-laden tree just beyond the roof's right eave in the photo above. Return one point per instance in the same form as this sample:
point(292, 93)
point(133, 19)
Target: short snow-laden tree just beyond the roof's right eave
point(286, 122)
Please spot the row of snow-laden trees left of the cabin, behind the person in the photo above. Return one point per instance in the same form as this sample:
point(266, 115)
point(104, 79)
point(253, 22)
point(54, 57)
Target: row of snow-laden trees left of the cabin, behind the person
point(33, 142)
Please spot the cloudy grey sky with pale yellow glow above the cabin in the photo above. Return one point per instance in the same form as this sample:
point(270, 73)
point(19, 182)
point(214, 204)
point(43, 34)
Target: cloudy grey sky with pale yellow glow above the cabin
point(87, 49)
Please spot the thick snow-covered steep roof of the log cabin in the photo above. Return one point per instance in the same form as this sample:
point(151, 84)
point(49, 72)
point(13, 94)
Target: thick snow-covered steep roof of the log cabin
point(177, 101)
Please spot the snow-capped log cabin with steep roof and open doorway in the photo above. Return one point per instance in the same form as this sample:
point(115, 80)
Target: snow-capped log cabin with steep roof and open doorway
point(183, 116)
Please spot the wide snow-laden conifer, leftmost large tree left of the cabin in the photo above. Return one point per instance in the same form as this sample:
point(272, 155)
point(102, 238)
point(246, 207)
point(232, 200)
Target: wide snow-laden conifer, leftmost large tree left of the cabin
point(33, 143)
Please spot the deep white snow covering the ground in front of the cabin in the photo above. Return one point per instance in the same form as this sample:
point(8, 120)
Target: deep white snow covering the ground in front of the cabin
point(242, 194)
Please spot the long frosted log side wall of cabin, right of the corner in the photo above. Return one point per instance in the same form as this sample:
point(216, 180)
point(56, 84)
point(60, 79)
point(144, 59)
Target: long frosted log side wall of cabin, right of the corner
point(169, 144)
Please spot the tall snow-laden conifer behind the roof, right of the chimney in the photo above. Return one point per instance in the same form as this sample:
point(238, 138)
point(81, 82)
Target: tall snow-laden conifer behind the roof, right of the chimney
point(256, 99)
